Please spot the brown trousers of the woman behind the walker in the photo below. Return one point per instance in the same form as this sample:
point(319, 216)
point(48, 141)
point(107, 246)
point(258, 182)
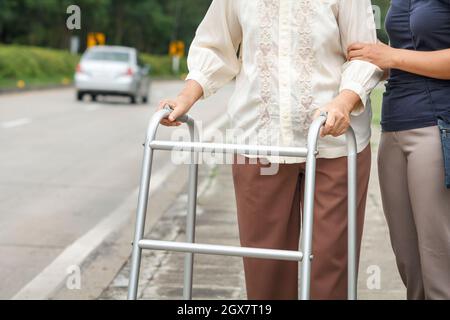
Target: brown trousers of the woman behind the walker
point(269, 214)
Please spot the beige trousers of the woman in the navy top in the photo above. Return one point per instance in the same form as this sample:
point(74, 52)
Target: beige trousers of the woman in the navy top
point(417, 208)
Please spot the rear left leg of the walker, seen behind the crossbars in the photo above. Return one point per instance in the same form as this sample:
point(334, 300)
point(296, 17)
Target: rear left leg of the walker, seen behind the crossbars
point(191, 220)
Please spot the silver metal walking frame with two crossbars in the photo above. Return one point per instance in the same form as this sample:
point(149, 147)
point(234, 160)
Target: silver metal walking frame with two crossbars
point(305, 256)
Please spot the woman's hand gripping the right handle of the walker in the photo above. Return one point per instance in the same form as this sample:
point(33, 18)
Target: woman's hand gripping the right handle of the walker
point(339, 110)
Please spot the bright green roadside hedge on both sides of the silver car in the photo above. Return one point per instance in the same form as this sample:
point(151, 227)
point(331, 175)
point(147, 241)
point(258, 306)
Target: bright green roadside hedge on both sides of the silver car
point(26, 66)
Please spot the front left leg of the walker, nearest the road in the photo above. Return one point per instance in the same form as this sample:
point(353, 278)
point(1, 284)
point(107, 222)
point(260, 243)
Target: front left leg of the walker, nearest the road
point(140, 223)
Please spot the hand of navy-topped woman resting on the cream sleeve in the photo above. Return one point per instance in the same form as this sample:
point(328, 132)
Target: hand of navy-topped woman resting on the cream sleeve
point(379, 54)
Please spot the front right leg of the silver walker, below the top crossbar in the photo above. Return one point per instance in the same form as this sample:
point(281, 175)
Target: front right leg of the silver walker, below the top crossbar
point(307, 231)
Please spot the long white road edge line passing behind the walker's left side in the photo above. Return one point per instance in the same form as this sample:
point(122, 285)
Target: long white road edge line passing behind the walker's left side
point(55, 274)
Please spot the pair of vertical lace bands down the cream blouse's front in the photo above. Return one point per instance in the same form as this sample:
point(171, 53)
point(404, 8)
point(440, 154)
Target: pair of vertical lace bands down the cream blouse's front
point(303, 61)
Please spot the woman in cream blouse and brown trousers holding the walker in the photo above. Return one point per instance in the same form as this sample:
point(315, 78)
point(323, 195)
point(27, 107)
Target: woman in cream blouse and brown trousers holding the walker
point(289, 61)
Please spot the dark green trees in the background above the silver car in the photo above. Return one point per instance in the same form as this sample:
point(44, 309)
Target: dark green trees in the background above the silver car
point(148, 25)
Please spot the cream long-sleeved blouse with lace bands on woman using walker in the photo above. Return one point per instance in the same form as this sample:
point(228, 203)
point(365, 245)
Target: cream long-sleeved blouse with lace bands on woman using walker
point(289, 59)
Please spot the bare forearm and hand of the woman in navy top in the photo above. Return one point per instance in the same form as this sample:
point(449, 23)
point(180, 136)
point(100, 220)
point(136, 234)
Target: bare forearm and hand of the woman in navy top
point(433, 64)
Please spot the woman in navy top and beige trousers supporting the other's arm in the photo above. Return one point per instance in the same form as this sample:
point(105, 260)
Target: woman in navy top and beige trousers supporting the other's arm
point(411, 158)
